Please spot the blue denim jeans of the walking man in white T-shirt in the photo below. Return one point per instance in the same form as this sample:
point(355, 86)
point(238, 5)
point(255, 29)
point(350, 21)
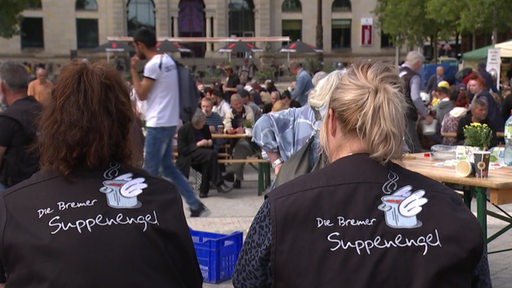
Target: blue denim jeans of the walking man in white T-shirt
point(158, 161)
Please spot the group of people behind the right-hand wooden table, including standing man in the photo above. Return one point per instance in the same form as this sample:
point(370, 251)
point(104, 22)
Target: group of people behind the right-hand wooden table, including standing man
point(453, 104)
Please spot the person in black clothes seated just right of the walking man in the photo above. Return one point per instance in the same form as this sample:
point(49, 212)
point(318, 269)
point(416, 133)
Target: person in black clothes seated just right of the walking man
point(195, 149)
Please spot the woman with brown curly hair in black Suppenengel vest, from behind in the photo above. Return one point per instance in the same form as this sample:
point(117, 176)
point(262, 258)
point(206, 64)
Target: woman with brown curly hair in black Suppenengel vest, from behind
point(89, 218)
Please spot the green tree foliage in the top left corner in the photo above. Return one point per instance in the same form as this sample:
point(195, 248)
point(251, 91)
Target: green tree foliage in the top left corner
point(10, 15)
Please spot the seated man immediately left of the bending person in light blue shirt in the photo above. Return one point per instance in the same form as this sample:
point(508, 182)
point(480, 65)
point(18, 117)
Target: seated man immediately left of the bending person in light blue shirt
point(234, 124)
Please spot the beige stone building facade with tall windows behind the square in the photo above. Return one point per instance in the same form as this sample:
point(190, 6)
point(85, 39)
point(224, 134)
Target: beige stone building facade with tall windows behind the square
point(58, 29)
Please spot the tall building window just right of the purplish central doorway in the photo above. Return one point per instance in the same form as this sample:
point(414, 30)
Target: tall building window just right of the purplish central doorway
point(241, 18)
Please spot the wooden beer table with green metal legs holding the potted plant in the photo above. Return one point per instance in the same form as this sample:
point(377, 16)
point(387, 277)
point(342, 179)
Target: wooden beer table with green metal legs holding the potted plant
point(498, 185)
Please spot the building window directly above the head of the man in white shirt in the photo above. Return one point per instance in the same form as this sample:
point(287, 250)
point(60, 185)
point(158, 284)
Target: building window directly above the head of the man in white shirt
point(141, 13)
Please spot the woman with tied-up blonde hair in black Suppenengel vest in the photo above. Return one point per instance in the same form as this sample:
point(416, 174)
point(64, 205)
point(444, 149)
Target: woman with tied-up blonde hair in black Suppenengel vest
point(363, 221)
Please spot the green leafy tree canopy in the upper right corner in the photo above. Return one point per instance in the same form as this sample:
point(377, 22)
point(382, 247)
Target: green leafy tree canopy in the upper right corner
point(413, 21)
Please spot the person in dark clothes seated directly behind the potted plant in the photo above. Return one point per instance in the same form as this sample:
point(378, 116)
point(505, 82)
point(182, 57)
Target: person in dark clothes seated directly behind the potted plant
point(477, 114)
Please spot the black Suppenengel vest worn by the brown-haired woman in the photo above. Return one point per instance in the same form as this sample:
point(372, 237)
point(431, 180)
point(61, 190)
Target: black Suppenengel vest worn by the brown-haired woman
point(68, 232)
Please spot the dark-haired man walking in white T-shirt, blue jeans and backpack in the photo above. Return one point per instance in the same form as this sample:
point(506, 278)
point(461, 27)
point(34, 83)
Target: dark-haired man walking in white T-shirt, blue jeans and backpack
point(159, 87)
